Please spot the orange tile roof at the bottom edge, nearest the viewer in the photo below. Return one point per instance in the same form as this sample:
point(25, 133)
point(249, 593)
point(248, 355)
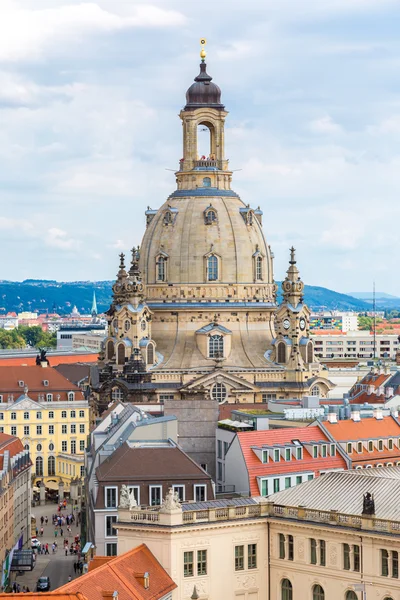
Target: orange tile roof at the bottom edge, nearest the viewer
point(121, 574)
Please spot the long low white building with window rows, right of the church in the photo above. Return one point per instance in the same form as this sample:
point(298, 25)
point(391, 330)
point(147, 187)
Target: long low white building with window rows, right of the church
point(355, 344)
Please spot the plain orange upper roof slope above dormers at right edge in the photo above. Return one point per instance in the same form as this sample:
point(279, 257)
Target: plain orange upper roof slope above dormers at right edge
point(349, 430)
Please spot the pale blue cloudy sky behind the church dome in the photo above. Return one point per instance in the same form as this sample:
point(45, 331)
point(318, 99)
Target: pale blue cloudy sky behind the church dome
point(89, 98)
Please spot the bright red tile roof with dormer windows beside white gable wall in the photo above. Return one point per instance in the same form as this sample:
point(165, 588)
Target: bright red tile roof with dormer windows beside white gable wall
point(255, 468)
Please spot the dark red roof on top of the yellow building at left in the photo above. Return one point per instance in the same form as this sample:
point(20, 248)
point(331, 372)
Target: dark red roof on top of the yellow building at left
point(33, 378)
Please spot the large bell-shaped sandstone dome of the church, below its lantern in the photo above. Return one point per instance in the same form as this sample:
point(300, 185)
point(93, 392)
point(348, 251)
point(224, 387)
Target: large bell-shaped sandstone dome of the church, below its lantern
point(185, 234)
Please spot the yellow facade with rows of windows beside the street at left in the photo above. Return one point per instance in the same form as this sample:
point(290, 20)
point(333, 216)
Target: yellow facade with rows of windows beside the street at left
point(55, 434)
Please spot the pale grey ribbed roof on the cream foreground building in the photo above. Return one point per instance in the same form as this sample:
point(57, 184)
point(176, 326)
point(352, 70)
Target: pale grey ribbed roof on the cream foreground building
point(343, 491)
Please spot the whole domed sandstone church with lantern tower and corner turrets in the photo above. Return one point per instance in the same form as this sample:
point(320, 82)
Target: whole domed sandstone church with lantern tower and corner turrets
point(195, 314)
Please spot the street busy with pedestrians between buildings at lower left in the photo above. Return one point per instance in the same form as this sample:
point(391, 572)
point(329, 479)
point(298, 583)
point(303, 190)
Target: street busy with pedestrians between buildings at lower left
point(56, 566)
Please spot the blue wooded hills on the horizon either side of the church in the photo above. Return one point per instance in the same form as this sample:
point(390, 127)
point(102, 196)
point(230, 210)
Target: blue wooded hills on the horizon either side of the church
point(61, 297)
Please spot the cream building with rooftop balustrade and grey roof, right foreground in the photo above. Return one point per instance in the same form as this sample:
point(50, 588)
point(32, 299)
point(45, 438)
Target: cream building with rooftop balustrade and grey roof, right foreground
point(277, 550)
